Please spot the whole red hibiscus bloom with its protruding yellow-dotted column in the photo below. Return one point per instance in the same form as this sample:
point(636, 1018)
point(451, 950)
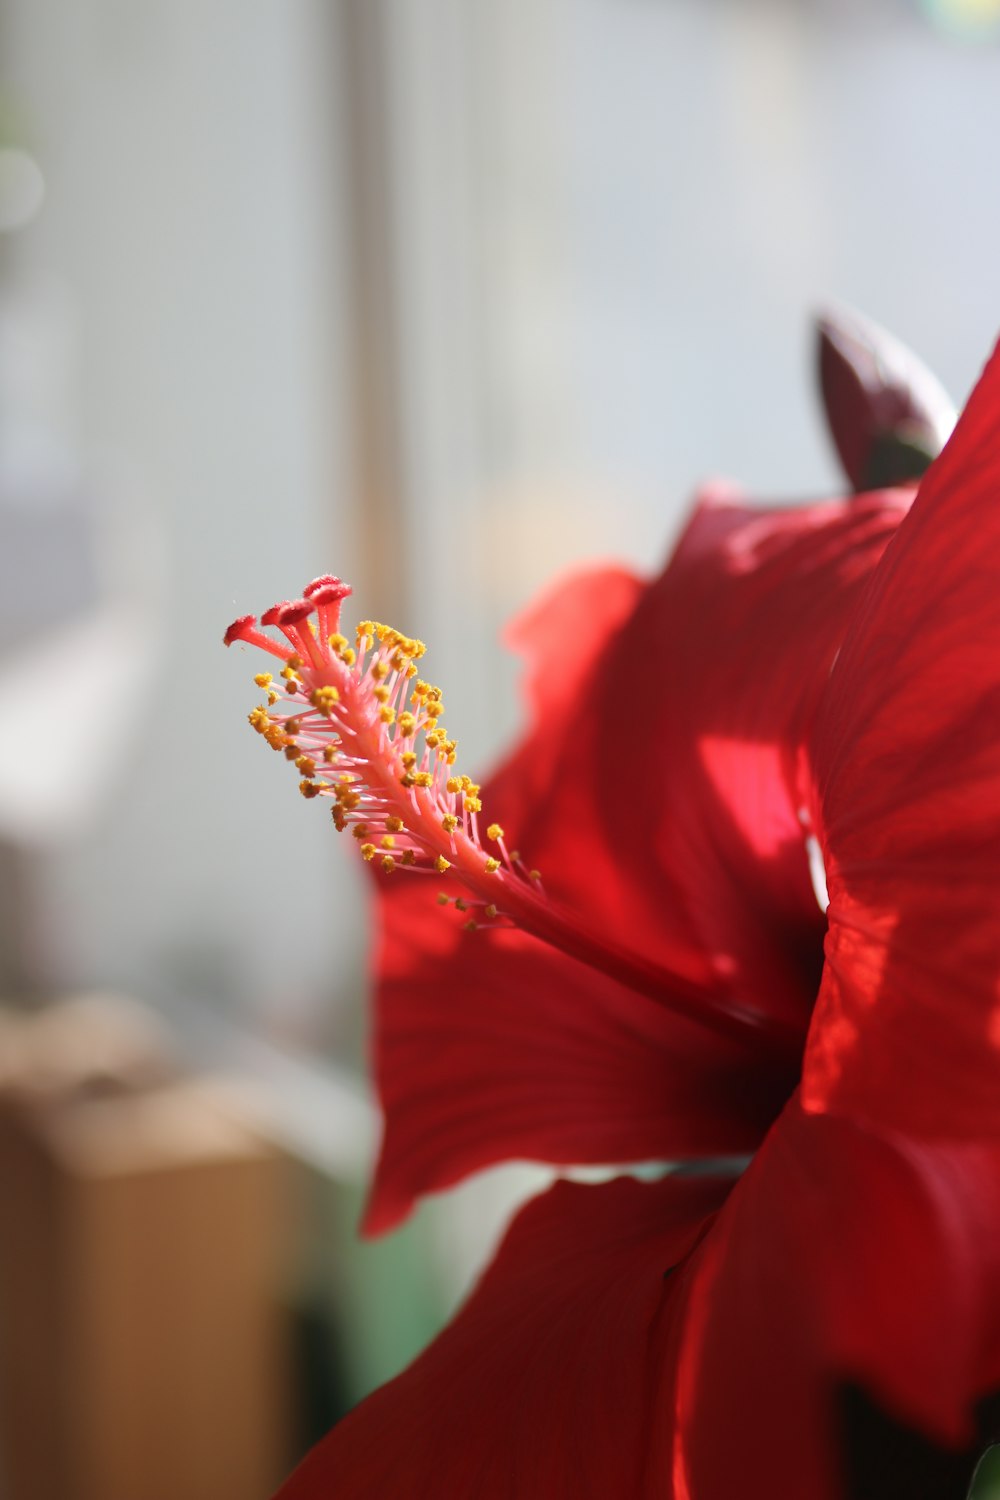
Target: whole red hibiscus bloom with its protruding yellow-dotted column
point(818, 685)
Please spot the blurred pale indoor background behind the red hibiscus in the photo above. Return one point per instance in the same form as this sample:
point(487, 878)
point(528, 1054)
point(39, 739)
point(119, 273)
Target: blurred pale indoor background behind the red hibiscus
point(440, 296)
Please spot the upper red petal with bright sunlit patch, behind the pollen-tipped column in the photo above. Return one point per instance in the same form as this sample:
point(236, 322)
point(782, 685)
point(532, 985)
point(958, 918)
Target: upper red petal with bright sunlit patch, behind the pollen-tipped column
point(653, 788)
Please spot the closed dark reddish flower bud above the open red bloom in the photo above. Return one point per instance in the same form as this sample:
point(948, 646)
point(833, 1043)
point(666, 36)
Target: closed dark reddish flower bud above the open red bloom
point(887, 415)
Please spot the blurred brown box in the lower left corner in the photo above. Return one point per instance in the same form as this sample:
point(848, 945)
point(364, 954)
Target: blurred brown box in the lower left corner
point(142, 1343)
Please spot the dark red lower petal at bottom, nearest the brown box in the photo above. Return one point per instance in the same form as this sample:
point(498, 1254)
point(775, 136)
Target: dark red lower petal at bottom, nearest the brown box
point(548, 1382)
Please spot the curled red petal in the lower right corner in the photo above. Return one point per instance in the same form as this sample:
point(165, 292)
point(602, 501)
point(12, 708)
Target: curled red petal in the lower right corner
point(842, 1259)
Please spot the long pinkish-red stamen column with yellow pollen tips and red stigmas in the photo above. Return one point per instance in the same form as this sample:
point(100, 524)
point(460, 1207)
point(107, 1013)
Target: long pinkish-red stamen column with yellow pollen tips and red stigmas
point(367, 736)
